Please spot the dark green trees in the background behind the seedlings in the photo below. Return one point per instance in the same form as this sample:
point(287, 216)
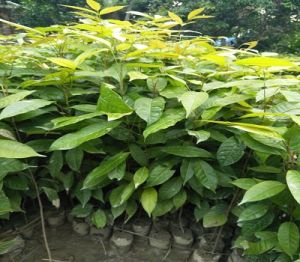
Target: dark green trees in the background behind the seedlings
point(274, 23)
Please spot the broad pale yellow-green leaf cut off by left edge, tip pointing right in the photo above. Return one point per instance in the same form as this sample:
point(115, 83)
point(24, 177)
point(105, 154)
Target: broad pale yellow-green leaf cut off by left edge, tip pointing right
point(14, 149)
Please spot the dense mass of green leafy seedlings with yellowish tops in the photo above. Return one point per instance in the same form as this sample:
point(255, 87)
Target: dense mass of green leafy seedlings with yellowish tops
point(176, 122)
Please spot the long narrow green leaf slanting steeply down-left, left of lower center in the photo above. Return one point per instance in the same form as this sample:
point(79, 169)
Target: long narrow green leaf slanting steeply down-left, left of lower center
point(106, 166)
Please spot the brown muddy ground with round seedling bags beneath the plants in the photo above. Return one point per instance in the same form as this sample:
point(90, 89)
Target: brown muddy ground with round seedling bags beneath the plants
point(162, 242)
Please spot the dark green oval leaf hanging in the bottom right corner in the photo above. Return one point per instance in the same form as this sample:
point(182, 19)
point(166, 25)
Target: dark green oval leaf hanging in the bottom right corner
point(288, 236)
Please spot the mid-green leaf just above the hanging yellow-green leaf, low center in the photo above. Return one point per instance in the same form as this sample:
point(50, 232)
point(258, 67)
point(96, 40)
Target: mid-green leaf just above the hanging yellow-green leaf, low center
point(159, 175)
